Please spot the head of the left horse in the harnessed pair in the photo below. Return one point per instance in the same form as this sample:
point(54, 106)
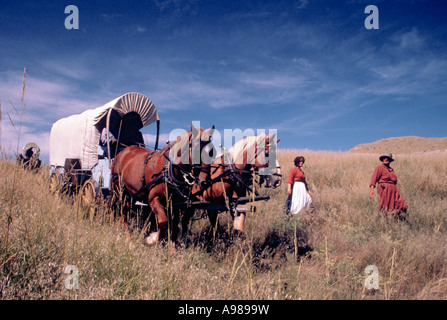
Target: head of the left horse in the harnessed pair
point(186, 152)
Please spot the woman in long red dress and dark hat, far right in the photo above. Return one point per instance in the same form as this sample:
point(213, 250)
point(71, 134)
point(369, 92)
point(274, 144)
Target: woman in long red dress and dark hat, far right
point(390, 199)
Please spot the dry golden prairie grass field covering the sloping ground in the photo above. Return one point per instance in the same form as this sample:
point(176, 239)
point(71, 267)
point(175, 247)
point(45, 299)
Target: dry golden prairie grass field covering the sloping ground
point(321, 253)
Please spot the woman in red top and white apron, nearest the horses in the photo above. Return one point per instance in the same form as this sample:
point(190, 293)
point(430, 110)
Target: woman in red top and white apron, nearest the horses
point(297, 187)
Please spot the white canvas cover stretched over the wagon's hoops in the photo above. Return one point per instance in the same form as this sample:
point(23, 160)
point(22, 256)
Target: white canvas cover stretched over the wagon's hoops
point(78, 136)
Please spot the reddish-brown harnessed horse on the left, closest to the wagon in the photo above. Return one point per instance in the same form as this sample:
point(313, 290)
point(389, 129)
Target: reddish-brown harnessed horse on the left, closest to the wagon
point(148, 176)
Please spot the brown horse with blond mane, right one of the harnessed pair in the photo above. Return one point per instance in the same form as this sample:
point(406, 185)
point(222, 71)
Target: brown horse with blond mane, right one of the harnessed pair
point(232, 174)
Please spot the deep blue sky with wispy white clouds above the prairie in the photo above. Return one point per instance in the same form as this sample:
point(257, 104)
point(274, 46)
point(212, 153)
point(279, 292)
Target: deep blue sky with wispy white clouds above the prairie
point(308, 68)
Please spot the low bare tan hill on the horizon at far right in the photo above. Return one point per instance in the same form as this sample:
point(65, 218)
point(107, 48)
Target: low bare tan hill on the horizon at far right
point(399, 145)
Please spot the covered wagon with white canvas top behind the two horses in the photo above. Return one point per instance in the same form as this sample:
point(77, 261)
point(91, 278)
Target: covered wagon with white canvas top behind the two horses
point(83, 146)
